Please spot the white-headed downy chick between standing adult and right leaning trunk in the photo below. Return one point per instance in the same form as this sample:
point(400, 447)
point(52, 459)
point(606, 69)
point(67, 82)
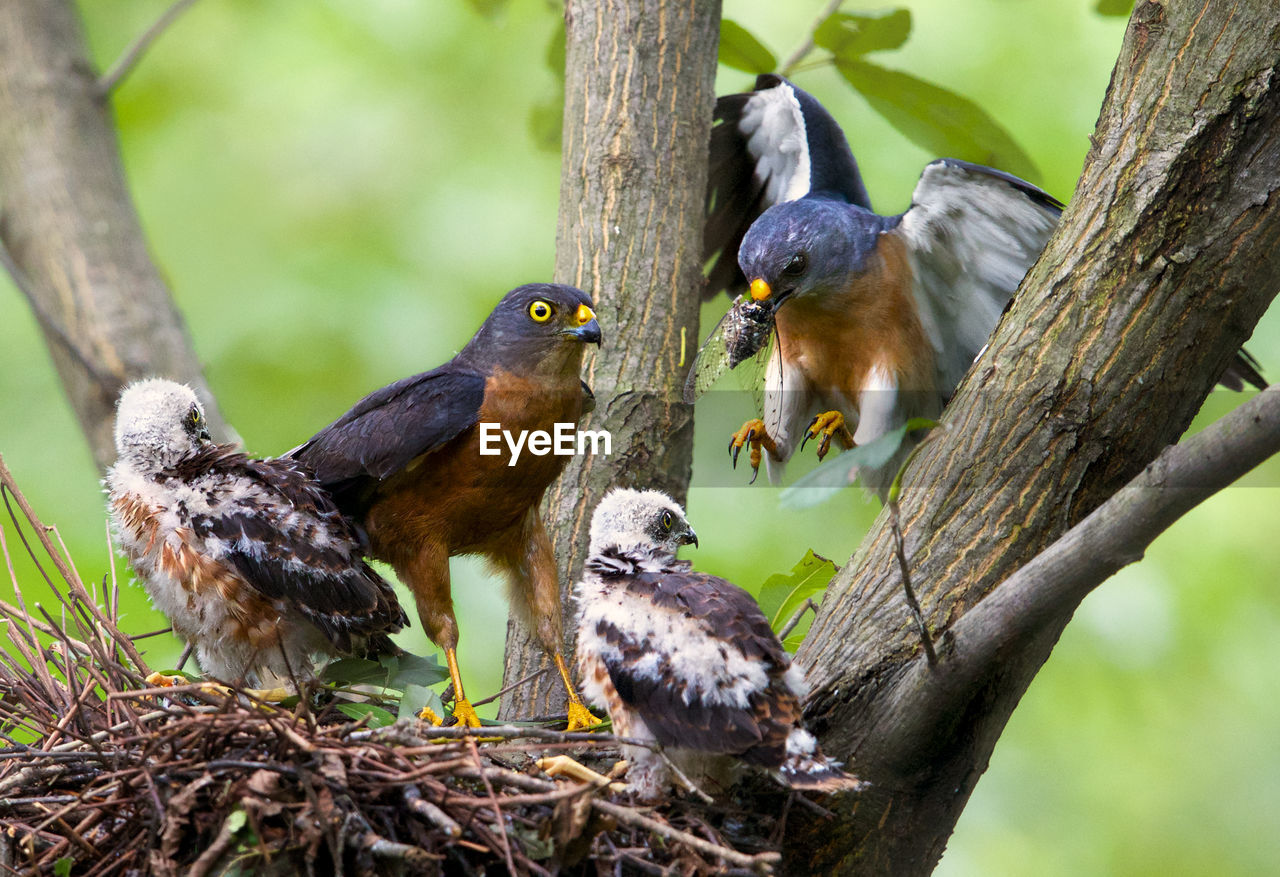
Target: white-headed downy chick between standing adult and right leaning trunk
point(684, 659)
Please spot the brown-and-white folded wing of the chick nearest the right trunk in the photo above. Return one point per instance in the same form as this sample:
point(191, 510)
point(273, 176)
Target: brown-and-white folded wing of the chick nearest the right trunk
point(703, 670)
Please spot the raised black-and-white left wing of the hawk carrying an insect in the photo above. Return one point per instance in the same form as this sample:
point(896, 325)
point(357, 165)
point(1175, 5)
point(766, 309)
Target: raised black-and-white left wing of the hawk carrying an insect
point(771, 145)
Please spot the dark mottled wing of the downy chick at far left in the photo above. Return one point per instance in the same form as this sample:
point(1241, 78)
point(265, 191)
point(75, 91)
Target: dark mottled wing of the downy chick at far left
point(285, 536)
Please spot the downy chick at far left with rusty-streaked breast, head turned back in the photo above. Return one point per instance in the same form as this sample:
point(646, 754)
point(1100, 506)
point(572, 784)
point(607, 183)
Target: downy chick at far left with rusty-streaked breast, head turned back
point(249, 559)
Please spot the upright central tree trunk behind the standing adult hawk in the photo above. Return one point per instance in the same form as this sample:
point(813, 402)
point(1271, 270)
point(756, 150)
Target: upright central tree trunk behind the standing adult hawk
point(638, 111)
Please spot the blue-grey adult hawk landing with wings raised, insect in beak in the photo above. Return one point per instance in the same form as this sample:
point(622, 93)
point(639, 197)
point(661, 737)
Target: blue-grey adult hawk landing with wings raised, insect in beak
point(879, 318)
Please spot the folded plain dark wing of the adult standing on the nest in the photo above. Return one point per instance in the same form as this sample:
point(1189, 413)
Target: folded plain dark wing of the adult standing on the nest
point(390, 428)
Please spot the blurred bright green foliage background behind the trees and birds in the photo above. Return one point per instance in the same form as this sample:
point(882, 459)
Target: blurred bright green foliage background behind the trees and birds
point(339, 193)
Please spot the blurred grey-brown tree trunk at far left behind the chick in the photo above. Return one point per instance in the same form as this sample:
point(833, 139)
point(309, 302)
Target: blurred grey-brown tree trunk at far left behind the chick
point(71, 227)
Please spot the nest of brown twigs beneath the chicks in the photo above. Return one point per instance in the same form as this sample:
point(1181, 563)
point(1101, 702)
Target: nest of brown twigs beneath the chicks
point(106, 775)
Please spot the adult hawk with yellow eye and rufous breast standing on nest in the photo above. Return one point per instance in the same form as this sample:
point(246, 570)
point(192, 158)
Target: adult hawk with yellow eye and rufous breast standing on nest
point(409, 465)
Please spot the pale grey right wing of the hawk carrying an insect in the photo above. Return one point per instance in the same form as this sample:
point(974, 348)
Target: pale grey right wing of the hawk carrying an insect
point(972, 234)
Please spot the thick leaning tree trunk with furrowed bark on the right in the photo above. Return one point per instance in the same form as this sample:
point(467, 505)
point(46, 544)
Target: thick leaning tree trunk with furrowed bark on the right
point(1168, 257)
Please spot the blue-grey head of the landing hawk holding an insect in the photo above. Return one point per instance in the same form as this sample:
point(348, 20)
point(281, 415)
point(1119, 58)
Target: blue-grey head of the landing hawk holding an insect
point(807, 248)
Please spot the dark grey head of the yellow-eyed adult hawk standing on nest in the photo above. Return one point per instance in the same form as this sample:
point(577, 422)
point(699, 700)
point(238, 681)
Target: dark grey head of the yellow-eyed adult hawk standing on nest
point(538, 323)
